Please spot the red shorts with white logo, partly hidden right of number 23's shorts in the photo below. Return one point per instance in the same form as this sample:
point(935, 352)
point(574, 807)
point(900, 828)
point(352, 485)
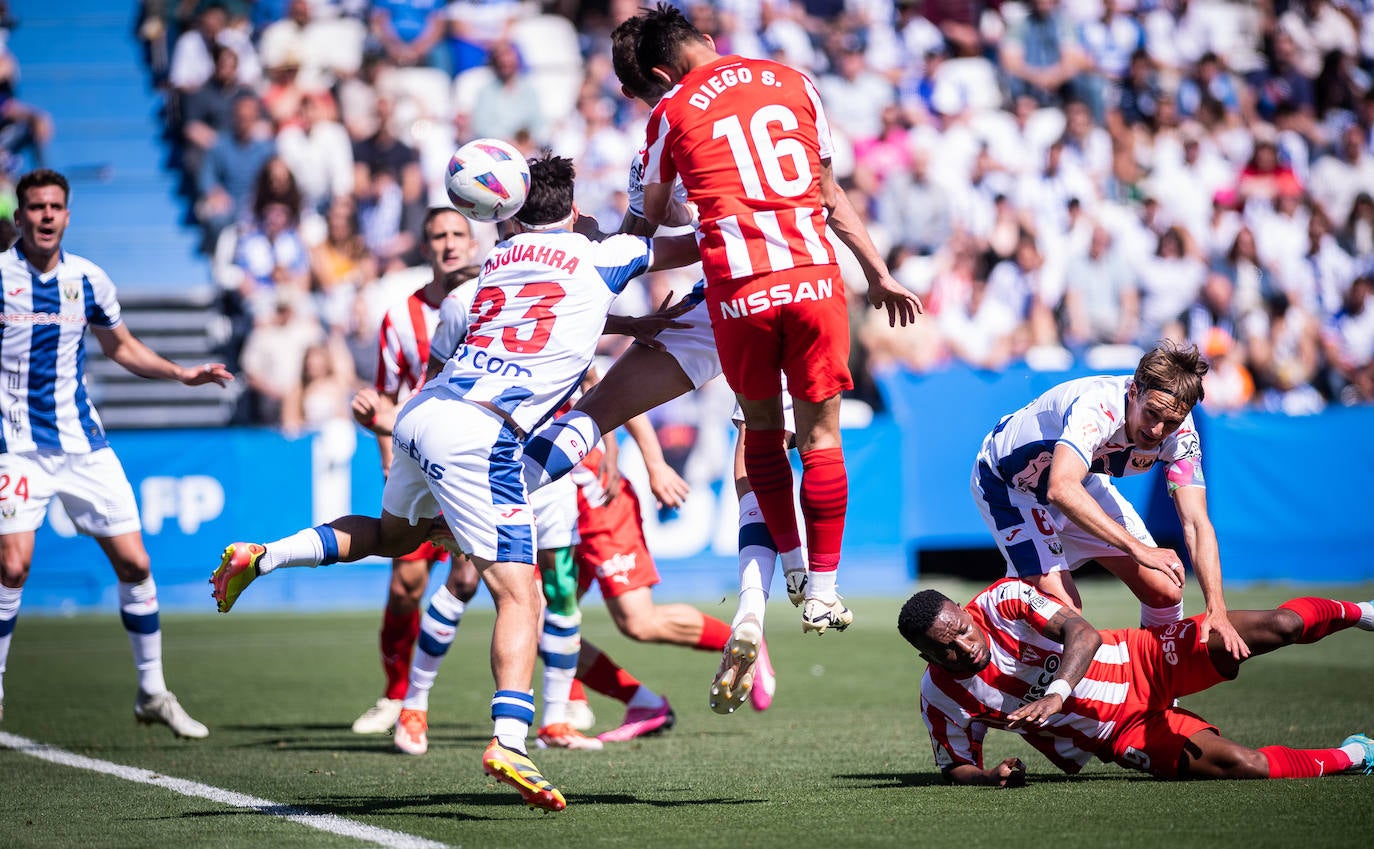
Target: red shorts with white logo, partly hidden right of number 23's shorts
point(612, 550)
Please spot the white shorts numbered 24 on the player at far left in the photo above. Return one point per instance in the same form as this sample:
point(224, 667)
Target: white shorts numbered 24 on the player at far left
point(93, 488)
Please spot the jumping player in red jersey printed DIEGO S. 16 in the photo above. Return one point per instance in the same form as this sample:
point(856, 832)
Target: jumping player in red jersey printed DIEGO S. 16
point(751, 144)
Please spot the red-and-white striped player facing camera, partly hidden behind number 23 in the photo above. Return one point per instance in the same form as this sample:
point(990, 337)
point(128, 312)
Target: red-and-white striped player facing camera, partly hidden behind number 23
point(403, 354)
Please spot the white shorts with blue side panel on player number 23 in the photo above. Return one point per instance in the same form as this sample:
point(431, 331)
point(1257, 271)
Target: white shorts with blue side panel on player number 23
point(462, 461)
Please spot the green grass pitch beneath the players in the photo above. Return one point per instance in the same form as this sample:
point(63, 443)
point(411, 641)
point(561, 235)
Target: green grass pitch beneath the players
point(842, 760)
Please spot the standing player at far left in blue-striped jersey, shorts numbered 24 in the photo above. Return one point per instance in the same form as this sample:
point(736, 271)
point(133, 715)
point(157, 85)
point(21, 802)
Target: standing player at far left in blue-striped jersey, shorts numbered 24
point(52, 439)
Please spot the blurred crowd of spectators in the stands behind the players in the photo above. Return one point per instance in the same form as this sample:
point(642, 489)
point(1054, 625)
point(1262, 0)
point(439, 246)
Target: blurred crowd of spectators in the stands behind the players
point(1060, 181)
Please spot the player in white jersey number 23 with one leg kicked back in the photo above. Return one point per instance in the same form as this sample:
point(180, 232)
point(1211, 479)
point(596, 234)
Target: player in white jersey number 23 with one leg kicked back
point(541, 306)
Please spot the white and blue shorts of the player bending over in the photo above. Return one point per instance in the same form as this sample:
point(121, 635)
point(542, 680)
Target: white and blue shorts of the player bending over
point(1038, 539)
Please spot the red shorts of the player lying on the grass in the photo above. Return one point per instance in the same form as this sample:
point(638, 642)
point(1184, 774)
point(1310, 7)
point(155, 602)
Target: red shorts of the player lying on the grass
point(1170, 661)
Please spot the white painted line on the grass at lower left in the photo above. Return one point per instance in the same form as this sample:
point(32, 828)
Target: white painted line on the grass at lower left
point(325, 822)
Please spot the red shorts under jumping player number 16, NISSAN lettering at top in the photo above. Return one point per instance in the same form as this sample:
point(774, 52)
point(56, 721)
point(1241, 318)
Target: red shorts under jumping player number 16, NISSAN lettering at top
point(795, 324)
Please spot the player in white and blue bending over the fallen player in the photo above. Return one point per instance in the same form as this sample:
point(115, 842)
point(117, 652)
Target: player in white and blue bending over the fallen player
point(1044, 486)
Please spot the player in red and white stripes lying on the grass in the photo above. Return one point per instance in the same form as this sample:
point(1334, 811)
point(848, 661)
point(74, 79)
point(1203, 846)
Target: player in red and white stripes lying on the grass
point(1017, 660)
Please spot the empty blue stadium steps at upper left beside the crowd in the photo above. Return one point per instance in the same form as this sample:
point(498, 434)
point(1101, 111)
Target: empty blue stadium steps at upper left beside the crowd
point(79, 60)
